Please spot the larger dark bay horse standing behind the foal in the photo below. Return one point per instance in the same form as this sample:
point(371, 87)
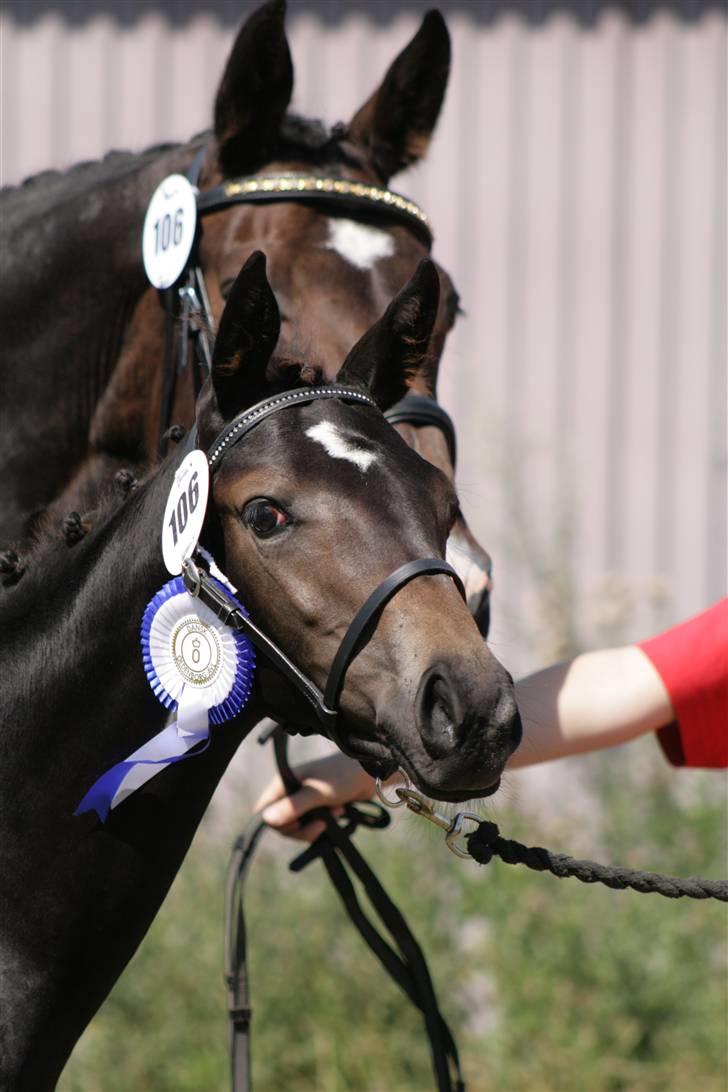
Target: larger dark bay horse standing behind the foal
point(83, 333)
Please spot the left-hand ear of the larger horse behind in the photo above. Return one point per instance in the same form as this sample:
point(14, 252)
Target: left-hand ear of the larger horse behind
point(255, 92)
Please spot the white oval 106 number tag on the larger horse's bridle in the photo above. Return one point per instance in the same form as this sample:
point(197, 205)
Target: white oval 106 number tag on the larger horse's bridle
point(169, 234)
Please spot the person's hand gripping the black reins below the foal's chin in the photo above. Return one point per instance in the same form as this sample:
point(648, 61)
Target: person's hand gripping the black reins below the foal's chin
point(327, 782)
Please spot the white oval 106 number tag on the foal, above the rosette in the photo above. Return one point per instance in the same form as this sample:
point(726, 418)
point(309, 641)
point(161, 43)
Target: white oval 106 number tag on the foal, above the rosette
point(186, 512)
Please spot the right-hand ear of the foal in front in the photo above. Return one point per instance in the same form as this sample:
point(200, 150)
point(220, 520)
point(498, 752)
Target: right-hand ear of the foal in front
point(395, 350)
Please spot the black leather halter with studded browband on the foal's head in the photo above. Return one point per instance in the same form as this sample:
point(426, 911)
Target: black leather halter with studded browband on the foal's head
point(200, 585)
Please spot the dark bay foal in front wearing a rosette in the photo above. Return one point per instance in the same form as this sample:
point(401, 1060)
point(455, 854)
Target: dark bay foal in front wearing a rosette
point(309, 513)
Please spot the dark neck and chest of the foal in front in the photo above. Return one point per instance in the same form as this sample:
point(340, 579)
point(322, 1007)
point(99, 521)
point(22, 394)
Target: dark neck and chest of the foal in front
point(78, 897)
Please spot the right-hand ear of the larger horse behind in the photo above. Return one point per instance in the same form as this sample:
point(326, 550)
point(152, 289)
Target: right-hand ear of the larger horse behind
point(396, 125)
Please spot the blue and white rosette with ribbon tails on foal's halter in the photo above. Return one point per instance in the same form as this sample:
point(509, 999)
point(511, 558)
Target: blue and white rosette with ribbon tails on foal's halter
point(200, 670)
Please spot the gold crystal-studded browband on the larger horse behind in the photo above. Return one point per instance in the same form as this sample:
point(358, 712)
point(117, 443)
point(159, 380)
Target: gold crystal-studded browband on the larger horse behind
point(314, 187)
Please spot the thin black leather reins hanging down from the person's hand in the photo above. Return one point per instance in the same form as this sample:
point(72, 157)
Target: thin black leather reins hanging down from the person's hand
point(405, 963)
